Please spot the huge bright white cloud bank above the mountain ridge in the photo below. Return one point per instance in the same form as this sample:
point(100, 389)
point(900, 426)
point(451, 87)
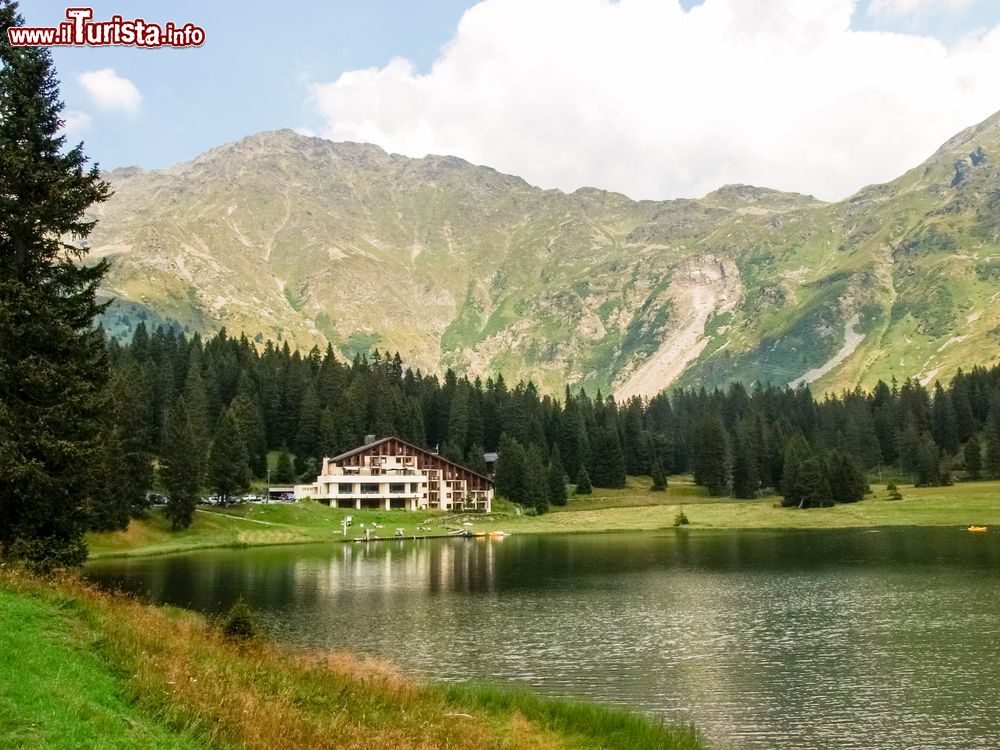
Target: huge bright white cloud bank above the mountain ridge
point(642, 97)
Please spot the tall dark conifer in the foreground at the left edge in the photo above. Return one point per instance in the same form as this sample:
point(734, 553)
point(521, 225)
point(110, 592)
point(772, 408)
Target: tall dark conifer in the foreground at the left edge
point(52, 361)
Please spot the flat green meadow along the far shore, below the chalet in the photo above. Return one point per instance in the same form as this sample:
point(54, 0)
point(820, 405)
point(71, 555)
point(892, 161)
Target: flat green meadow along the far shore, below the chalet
point(634, 508)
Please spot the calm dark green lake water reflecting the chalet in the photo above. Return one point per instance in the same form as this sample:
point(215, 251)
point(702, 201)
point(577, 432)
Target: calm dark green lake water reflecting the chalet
point(841, 639)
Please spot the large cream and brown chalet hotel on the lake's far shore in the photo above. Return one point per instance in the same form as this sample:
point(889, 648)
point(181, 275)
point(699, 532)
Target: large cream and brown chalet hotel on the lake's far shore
point(391, 473)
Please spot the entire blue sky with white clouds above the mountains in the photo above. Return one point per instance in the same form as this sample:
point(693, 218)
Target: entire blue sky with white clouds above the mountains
point(656, 99)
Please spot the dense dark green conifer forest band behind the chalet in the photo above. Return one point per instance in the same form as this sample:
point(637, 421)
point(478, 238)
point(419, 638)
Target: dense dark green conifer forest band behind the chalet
point(211, 410)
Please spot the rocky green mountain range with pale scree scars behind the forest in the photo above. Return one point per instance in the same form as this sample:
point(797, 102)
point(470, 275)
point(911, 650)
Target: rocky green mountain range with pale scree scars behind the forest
point(308, 241)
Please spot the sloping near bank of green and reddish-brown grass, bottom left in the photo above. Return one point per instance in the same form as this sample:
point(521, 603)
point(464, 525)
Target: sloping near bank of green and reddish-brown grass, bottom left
point(82, 668)
